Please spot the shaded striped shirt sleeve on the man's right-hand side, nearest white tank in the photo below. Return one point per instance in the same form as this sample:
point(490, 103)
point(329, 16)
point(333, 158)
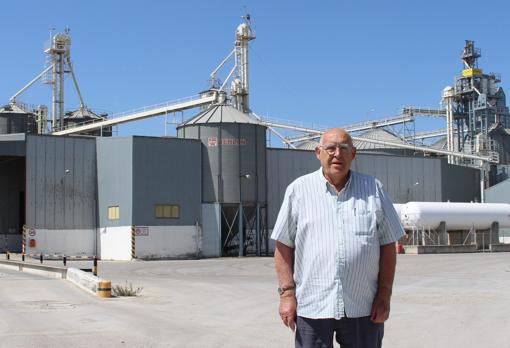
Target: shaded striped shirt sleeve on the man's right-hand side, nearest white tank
point(390, 229)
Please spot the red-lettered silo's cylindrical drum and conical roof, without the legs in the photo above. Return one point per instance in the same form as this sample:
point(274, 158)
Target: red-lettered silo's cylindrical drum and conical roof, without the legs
point(233, 154)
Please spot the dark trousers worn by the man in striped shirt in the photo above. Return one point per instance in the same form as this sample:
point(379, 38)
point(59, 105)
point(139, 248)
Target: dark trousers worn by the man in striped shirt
point(350, 333)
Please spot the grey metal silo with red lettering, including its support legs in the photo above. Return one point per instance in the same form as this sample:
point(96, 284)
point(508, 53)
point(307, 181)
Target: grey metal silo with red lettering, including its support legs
point(233, 171)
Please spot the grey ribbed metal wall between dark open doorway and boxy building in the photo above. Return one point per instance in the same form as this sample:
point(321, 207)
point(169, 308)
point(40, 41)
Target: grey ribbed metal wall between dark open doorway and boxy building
point(61, 182)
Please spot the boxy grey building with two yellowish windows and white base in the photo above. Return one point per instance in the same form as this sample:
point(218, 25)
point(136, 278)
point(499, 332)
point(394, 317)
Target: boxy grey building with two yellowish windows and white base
point(151, 187)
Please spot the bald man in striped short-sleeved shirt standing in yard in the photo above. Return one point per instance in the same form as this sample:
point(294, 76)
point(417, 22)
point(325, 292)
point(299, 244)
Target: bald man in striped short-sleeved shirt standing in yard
point(335, 251)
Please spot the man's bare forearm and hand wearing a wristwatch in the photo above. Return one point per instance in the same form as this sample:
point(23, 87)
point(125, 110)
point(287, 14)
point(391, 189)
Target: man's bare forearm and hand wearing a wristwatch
point(284, 263)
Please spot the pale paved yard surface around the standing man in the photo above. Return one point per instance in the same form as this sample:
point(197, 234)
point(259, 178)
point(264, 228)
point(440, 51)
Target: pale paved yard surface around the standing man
point(459, 300)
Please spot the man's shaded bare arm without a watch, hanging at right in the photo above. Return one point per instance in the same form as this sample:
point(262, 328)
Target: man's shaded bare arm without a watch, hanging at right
point(387, 263)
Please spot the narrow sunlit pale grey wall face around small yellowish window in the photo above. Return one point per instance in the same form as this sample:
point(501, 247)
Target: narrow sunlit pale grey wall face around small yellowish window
point(115, 179)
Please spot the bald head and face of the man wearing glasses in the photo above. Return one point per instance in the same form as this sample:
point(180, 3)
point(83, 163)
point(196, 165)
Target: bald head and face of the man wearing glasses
point(336, 163)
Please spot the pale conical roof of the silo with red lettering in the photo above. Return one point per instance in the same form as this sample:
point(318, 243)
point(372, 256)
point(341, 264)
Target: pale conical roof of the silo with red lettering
point(221, 114)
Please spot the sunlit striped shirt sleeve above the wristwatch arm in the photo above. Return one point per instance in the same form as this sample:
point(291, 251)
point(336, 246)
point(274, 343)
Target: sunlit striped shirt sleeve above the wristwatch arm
point(284, 229)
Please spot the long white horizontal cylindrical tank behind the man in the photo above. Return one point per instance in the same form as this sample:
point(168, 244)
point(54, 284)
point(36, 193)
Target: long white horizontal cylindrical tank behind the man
point(457, 216)
